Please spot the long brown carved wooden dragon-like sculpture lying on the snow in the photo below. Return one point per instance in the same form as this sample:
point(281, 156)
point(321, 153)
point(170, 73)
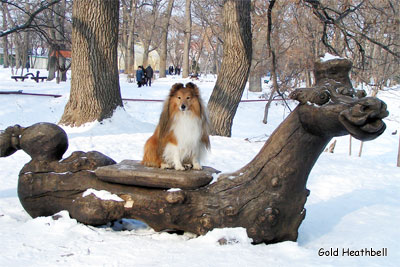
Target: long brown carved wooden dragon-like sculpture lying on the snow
point(266, 196)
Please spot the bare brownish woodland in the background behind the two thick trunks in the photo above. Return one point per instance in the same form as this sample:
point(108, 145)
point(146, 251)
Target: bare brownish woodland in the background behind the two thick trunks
point(302, 31)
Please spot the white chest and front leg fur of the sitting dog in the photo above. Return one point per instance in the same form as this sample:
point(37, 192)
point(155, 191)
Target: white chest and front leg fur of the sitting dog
point(187, 129)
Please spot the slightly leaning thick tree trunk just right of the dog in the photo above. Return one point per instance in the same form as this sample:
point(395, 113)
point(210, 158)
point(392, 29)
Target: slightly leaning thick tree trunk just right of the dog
point(232, 76)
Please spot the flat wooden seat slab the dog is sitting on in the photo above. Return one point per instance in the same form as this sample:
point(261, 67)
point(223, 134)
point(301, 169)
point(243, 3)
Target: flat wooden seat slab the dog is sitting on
point(131, 172)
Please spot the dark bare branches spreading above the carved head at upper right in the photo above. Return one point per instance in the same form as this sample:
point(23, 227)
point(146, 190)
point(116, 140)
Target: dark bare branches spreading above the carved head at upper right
point(367, 32)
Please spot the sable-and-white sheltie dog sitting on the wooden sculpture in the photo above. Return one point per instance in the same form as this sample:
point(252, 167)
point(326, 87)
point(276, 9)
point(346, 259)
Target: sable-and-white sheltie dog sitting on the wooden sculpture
point(181, 136)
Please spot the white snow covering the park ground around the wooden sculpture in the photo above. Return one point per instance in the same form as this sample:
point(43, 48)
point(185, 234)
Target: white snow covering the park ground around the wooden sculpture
point(354, 202)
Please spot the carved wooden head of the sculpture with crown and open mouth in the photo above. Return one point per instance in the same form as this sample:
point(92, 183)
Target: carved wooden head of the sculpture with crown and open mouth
point(333, 107)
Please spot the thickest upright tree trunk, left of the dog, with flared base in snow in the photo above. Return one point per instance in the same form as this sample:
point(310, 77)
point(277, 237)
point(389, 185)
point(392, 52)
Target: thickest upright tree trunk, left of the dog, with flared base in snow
point(95, 92)
